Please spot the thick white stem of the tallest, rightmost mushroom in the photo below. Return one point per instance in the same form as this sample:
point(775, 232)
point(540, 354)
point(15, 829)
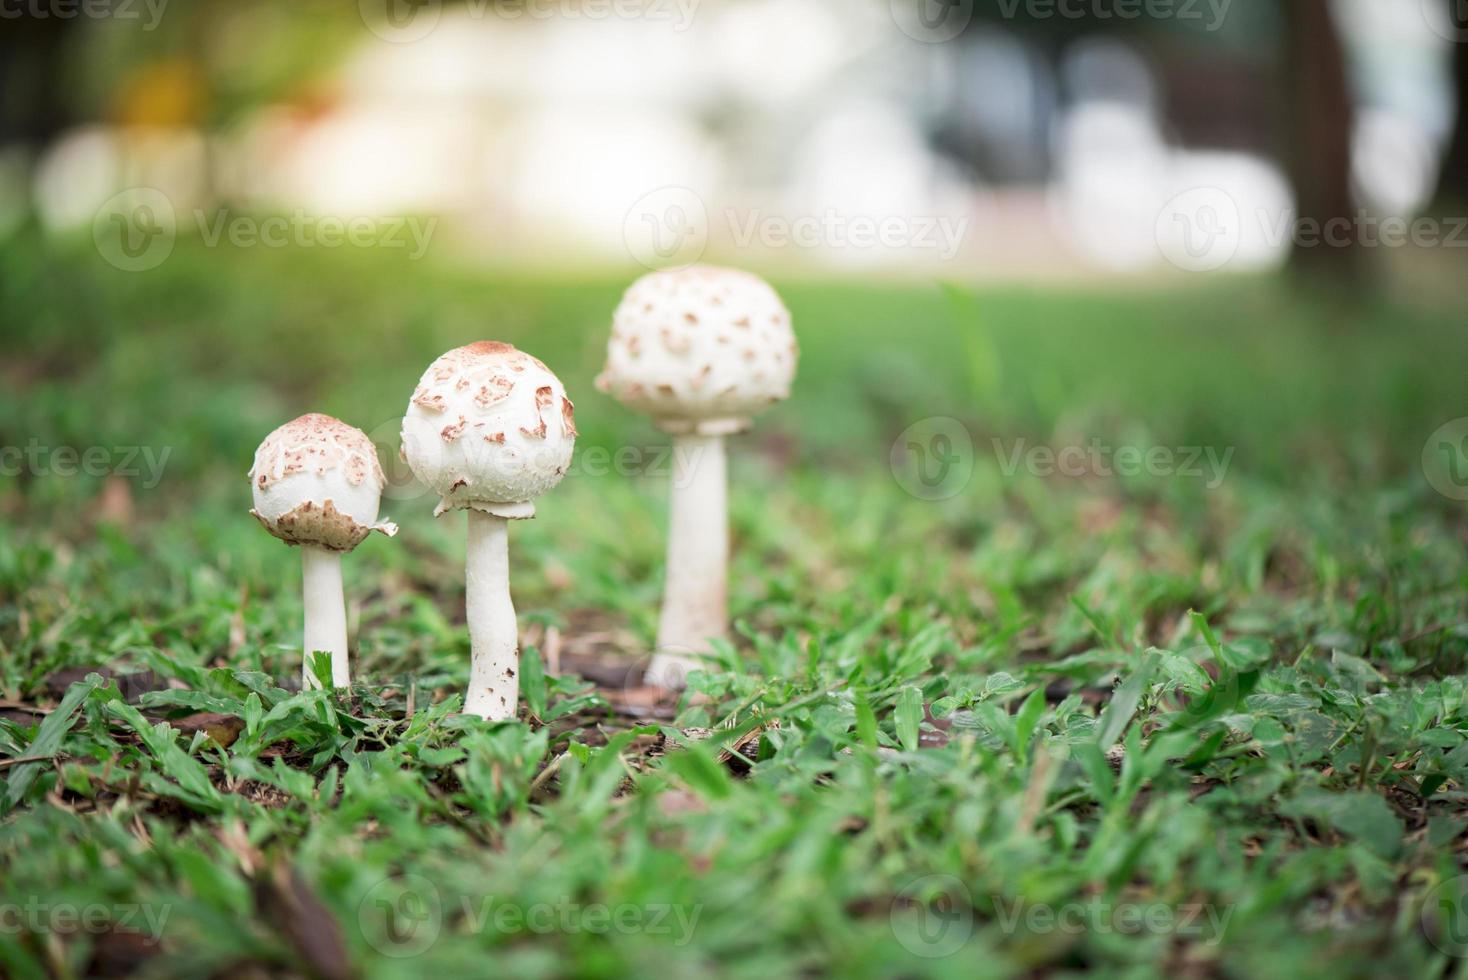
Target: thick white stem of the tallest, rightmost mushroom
point(695, 607)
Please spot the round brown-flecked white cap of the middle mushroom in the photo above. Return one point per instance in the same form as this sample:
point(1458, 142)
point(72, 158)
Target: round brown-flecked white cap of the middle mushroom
point(490, 428)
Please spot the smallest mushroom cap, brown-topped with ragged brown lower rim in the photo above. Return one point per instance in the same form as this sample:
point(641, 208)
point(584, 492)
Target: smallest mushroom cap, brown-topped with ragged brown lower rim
point(316, 480)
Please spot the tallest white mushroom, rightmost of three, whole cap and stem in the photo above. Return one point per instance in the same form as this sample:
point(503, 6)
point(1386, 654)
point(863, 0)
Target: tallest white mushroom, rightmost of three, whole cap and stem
point(701, 350)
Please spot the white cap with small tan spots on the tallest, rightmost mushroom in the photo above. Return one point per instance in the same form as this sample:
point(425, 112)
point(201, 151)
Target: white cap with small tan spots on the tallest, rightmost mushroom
point(701, 350)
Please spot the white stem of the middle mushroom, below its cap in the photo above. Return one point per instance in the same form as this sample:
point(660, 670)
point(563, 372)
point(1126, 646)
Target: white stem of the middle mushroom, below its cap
point(494, 676)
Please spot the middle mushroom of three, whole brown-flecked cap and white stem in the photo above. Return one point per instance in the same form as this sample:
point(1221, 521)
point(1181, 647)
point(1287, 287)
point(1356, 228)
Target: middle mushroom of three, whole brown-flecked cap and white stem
point(490, 429)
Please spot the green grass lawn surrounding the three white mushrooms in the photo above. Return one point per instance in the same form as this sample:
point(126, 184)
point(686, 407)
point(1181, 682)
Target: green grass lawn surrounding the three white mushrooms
point(1133, 724)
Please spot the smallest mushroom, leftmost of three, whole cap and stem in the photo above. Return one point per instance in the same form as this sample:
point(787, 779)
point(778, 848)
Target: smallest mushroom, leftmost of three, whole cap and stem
point(318, 483)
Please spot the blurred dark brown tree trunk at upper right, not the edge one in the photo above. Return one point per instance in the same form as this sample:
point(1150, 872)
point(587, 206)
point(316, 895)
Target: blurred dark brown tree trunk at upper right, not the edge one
point(1320, 118)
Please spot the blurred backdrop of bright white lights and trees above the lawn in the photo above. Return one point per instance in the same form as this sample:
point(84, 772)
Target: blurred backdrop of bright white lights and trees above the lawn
point(1015, 140)
